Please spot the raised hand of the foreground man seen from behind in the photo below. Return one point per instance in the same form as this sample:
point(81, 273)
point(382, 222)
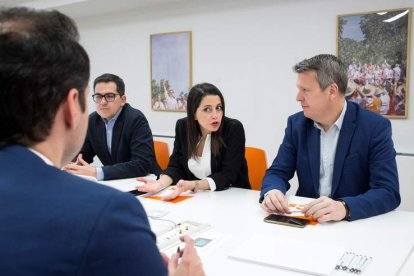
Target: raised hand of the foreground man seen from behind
point(189, 264)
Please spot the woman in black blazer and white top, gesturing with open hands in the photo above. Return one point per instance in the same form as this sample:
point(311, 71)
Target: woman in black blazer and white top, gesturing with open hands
point(208, 148)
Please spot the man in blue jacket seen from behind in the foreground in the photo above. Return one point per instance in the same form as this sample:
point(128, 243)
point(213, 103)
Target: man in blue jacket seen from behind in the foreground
point(54, 223)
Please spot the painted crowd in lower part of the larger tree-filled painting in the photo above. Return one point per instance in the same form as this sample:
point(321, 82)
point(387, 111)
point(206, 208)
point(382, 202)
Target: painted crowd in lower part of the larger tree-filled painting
point(378, 87)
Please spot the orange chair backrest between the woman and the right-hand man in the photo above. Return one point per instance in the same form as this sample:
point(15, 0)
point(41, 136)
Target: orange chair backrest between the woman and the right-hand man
point(257, 166)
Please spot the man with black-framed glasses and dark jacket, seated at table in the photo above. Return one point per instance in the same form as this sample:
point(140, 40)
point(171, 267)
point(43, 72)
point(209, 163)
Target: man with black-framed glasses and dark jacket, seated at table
point(118, 134)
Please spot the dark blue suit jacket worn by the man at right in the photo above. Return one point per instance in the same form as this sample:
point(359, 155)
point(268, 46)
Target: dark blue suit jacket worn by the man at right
point(365, 170)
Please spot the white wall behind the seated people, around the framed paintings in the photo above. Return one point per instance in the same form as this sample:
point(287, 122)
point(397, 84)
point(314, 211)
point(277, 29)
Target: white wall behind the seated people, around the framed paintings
point(246, 47)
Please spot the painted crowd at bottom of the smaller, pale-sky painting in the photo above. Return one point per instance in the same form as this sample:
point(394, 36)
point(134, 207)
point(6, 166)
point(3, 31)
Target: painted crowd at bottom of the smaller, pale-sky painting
point(164, 98)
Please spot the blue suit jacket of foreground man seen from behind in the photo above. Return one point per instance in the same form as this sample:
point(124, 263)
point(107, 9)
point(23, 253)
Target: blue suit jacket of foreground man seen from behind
point(54, 223)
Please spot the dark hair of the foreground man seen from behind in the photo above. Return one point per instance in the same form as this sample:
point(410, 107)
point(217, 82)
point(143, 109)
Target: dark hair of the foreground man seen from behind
point(40, 62)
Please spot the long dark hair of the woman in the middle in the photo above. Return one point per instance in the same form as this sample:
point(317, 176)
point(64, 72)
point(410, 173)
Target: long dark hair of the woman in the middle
point(196, 94)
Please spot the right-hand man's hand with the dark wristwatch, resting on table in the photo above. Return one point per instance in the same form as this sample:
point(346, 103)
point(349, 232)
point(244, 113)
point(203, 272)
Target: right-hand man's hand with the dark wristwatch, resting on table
point(325, 209)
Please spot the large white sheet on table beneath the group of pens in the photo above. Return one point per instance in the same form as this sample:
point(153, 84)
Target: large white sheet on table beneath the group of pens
point(316, 258)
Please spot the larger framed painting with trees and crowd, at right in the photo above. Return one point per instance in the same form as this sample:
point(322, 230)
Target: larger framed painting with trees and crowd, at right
point(375, 47)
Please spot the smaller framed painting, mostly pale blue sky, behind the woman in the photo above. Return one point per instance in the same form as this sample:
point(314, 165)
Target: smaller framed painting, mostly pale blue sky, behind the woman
point(171, 70)
